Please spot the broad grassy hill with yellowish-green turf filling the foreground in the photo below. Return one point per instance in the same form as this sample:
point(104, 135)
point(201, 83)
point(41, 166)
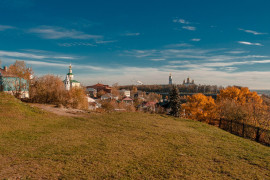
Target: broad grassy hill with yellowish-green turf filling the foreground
point(36, 144)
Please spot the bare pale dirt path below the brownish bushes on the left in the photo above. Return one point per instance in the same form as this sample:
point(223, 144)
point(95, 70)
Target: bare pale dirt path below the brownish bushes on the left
point(60, 111)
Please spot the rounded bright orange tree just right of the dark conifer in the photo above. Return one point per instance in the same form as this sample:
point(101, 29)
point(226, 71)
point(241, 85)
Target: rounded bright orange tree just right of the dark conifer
point(200, 107)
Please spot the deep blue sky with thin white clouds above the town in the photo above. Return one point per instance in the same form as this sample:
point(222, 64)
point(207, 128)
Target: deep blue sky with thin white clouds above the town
point(213, 42)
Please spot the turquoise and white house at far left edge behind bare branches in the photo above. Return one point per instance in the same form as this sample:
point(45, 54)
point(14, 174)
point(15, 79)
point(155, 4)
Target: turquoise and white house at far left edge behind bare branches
point(12, 84)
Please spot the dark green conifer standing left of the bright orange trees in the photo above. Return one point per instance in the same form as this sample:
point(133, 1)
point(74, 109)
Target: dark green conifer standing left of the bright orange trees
point(175, 101)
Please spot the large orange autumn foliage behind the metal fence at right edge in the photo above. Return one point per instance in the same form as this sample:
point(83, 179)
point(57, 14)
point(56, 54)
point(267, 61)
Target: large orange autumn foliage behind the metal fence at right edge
point(254, 112)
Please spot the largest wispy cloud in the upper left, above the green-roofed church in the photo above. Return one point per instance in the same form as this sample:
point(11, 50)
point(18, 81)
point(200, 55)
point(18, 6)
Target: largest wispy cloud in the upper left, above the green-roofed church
point(50, 32)
